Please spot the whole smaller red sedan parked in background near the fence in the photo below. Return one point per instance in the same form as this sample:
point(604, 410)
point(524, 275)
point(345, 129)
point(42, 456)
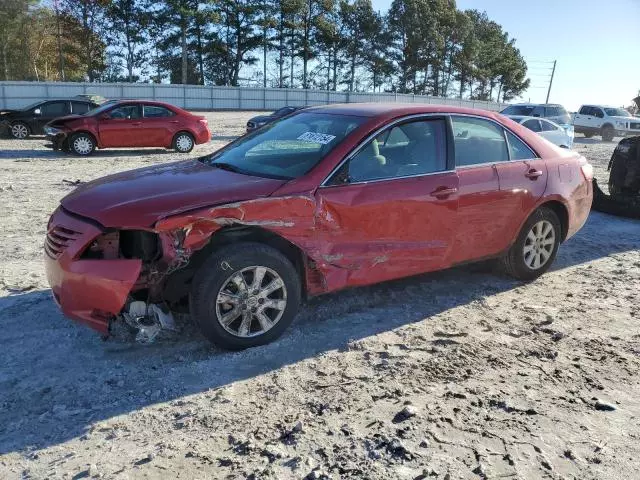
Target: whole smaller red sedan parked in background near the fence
point(128, 123)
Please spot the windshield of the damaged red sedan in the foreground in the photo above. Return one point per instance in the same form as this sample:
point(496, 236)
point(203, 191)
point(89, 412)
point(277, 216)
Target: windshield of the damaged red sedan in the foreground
point(288, 148)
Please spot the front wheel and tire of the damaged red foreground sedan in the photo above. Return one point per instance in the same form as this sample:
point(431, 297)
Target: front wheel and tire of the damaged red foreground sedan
point(245, 295)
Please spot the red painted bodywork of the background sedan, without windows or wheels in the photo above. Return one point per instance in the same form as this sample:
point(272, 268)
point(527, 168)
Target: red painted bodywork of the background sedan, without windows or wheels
point(139, 132)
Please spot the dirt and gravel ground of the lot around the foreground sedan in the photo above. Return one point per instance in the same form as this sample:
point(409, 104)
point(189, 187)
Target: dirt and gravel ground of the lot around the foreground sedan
point(458, 374)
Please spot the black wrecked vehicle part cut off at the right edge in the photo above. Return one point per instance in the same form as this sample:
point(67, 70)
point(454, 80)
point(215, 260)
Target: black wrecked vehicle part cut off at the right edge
point(624, 181)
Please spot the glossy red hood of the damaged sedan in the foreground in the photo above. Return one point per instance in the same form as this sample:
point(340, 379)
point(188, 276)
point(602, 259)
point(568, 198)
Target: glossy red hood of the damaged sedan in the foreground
point(139, 198)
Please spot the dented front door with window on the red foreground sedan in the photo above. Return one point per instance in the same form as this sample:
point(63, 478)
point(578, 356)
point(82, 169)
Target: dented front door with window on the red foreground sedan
point(385, 217)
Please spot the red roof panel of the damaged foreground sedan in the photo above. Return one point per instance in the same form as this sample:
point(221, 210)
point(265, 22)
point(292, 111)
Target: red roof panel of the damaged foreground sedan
point(394, 109)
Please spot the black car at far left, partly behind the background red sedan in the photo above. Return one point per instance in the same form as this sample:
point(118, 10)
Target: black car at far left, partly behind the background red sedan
point(30, 120)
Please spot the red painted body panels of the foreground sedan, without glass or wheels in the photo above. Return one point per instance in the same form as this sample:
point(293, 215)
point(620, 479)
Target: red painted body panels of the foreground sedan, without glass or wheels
point(349, 234)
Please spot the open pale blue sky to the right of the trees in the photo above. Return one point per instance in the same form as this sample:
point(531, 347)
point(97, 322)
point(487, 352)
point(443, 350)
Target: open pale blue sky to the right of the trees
point(596, 44)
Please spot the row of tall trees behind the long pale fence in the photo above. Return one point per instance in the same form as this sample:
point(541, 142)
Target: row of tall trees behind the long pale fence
point(417, 46)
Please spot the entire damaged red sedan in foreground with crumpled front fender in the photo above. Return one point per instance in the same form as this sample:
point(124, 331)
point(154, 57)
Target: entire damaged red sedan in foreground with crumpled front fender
point(332, 197)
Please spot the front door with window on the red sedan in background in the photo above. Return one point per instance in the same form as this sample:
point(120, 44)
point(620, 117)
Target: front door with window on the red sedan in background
point(121, 126)
